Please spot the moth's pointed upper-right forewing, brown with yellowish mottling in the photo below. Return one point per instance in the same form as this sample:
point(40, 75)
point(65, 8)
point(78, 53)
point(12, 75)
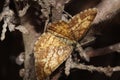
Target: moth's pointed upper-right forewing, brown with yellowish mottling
point(80, 23)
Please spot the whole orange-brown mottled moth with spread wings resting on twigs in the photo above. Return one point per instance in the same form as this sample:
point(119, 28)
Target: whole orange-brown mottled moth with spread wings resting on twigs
point(55, 45)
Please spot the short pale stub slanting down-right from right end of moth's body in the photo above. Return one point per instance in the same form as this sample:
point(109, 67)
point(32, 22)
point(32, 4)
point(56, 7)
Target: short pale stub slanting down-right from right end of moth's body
point(82, 52)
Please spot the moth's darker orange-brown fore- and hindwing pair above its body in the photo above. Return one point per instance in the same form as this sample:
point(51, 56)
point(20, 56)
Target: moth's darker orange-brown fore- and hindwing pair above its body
point(76, 28)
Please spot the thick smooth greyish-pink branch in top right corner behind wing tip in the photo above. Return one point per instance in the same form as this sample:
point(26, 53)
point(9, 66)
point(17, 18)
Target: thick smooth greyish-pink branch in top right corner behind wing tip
point(106, 10)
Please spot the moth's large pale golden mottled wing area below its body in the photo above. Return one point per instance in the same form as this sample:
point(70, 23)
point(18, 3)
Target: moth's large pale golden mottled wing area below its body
point(49, 52)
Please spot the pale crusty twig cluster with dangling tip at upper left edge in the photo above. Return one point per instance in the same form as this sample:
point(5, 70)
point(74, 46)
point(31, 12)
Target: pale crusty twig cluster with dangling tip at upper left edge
point(8, 16)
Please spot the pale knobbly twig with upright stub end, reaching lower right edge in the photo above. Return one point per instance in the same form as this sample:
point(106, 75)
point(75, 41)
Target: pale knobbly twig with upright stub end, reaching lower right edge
point(106, 70)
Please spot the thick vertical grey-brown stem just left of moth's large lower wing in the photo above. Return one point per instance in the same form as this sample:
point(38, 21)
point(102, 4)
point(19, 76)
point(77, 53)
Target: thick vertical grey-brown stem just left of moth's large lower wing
point(29, 40)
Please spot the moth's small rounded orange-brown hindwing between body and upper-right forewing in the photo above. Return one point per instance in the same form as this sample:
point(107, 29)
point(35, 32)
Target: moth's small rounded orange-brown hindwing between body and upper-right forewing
point(60, 28)
